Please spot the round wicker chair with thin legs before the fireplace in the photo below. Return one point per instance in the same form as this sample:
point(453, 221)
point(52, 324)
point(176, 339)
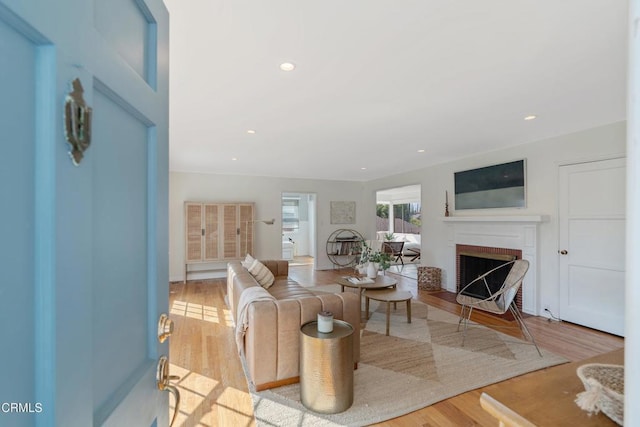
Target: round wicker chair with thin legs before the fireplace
point(498, 302)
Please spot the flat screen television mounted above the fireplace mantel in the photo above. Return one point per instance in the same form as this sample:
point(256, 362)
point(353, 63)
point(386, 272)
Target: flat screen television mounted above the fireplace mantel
point(497, 186)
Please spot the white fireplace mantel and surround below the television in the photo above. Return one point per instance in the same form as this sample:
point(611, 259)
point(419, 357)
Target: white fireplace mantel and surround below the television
point(500, 231)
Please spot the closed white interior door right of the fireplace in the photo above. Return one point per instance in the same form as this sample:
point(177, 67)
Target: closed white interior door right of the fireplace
point(592, 244)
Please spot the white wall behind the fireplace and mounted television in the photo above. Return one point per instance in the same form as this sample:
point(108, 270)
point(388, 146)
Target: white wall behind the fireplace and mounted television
point(543, 159)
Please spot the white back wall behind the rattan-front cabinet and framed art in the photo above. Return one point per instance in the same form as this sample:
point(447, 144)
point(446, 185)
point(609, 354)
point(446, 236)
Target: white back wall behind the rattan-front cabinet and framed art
point(266, 193)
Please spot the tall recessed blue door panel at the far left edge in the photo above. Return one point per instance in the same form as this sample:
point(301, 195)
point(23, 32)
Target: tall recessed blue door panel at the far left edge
point(16, 227)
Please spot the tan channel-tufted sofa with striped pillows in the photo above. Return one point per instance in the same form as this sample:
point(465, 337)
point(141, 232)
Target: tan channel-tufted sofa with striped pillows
point(271, 341)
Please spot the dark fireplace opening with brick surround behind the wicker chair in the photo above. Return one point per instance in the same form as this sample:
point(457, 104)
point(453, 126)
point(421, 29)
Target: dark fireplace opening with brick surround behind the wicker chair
point(474, 261)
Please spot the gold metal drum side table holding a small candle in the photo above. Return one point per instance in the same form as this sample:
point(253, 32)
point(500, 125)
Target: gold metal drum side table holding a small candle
point(326, 367)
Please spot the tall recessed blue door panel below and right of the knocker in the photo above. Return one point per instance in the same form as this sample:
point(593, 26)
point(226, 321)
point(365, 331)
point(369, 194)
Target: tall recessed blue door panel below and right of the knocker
point(119, 246)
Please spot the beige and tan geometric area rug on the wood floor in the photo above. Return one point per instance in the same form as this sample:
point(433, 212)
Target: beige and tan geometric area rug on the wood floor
point(419, 364)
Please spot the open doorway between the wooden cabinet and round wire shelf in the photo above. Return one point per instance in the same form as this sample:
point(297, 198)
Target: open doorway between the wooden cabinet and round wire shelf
point(299, 227)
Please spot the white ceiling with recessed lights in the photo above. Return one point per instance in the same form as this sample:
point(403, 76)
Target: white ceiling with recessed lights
point(377, 80)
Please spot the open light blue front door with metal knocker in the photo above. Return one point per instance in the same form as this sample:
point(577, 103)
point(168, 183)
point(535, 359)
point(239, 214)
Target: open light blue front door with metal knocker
point(84, 236)
